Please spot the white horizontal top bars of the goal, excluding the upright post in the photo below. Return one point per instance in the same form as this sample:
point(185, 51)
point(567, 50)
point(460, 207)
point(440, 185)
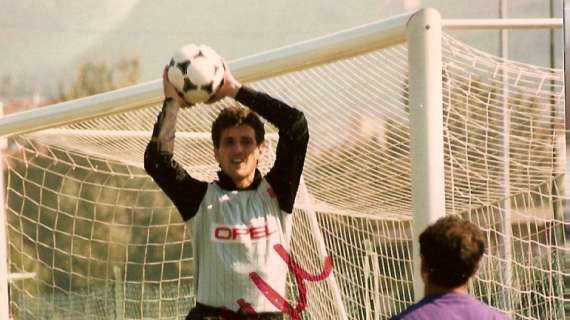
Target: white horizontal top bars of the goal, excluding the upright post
point(325, 49)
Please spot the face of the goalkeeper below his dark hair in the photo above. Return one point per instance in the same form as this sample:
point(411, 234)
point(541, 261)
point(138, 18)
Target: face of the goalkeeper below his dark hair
point(238, 154)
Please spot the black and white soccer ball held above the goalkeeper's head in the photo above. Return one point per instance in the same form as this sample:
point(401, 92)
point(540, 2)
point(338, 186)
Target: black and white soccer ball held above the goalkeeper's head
point(196, 72)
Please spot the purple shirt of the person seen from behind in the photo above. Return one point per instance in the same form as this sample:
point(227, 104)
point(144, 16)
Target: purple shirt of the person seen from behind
point(452, 306)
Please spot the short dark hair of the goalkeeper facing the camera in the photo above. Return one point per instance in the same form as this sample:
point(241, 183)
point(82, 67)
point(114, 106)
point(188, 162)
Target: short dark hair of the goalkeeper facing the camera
point(236, 116)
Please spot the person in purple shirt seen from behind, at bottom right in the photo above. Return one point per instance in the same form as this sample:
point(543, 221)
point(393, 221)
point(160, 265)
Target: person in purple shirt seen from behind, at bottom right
point(450, 251)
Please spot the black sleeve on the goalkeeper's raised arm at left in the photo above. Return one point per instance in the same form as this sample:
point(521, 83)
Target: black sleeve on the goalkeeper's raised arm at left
point(185, 192)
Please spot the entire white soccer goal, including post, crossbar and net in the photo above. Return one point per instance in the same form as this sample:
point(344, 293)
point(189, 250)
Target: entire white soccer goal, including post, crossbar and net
point(432, 104)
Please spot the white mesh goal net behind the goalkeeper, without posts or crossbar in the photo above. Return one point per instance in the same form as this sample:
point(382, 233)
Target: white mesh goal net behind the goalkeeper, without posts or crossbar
point(104, 242)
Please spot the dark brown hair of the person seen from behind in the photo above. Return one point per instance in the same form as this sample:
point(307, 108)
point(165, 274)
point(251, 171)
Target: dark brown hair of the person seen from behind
point(451, 249)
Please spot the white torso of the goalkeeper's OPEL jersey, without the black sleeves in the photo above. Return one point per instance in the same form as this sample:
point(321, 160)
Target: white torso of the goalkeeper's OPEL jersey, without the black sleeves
point(234, 233)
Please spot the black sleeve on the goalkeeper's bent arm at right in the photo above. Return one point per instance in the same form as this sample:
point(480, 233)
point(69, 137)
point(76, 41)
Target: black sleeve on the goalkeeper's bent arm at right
point(292, 146)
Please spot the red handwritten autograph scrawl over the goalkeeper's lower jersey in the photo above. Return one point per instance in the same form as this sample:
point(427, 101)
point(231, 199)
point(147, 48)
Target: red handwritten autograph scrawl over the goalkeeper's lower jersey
point(276, 299)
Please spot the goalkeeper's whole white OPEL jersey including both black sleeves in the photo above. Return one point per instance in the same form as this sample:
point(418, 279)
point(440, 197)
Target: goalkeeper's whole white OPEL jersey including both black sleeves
point(235, 231)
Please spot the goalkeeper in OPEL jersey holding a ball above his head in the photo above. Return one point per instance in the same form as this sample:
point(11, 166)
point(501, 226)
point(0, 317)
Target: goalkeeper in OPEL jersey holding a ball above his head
point(238, 218)
